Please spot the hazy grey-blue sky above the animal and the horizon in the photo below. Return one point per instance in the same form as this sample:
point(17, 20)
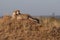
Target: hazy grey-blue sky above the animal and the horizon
point(32, 7)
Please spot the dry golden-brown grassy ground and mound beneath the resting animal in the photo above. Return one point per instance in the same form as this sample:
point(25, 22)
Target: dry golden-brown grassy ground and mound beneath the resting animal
point(47, 29)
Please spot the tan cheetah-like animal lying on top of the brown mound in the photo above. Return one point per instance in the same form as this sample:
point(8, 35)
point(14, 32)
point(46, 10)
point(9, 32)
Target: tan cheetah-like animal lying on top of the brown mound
point(17, 15)
